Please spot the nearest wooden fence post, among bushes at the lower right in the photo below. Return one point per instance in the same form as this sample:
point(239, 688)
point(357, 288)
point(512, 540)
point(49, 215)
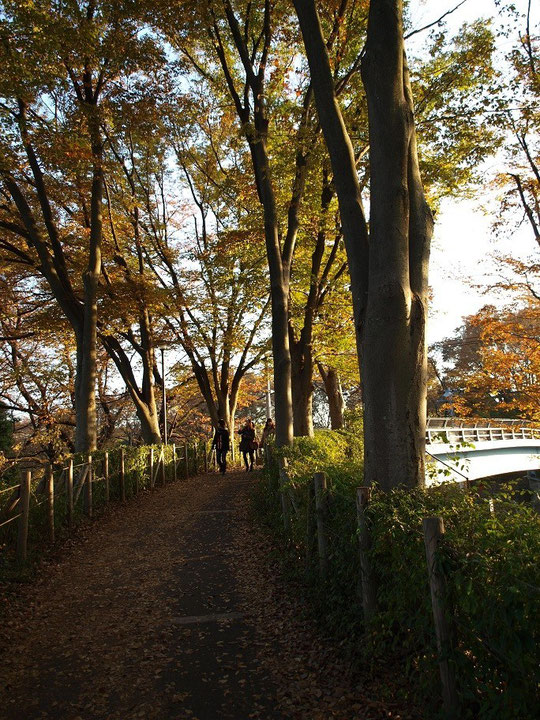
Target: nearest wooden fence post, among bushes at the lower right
point(433, 531)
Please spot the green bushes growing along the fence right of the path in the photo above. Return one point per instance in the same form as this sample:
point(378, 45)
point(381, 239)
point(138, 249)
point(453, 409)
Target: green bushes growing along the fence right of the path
point(489, 556)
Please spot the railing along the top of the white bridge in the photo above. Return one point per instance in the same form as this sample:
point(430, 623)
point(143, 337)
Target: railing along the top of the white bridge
point(453, 431)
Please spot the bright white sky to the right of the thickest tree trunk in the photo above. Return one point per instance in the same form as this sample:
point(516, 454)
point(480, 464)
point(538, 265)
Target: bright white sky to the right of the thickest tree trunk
point(463, 241)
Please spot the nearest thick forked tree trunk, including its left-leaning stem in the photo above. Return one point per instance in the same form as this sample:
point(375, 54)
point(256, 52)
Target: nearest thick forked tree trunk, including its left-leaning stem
point(388, 277)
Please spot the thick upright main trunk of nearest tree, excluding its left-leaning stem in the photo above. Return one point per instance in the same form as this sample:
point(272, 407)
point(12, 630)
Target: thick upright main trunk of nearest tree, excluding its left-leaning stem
point(395, 358)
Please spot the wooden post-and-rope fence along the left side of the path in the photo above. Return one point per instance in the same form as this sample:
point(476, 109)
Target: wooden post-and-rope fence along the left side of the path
point(50, 500)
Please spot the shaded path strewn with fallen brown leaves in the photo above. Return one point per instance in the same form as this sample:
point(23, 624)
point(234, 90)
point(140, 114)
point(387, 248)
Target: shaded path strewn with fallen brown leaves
point(169, 608)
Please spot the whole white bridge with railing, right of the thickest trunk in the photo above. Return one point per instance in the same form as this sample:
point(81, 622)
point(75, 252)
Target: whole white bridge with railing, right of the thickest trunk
point(462, 450)
